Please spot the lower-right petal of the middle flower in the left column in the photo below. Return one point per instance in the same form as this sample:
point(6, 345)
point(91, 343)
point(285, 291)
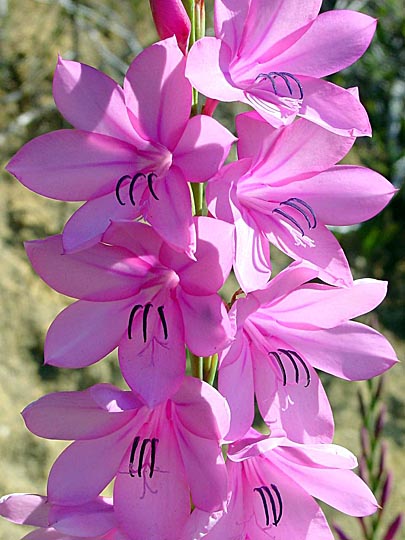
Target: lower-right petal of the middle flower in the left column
point(206, 324)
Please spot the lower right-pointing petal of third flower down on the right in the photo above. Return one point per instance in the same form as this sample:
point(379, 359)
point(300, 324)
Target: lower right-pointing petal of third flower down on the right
point(351, 351)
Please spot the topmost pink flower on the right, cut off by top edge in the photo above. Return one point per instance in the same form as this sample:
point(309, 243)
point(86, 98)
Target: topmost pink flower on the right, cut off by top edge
point(272, 55)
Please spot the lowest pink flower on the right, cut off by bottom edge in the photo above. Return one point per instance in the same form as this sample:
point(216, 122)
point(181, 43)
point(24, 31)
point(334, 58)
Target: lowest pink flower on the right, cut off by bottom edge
point(273, 482)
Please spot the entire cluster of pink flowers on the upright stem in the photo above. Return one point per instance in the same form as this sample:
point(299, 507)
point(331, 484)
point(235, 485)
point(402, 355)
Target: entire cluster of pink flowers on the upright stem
point(146, 270)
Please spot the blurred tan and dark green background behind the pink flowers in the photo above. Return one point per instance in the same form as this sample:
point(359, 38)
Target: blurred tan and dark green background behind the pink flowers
point(108, 34)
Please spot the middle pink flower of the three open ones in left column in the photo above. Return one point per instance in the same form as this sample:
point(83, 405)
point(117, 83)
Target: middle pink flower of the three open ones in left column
point(137, 293)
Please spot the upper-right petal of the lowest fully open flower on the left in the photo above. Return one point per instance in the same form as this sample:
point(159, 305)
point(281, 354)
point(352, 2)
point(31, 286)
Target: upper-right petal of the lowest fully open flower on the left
point(201, 410)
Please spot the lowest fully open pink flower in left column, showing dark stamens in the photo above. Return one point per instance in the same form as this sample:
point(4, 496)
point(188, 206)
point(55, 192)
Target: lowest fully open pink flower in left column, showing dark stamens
point(158, 457)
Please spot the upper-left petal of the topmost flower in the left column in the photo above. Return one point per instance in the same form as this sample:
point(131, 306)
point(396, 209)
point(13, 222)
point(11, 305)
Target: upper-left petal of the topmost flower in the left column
point(92, 101)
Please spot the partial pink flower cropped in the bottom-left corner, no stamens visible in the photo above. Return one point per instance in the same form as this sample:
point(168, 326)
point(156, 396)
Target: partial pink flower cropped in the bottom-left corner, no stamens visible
point(94, 520)
